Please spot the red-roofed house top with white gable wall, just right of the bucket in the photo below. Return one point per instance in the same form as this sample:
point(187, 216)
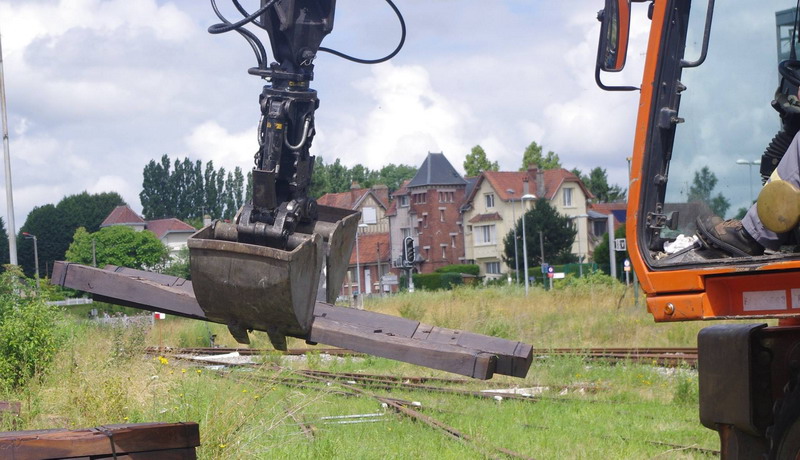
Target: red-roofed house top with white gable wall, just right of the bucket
point(372, 203)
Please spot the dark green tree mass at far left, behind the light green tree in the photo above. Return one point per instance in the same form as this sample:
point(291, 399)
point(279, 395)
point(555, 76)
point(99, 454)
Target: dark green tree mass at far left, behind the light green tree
point(54, 226)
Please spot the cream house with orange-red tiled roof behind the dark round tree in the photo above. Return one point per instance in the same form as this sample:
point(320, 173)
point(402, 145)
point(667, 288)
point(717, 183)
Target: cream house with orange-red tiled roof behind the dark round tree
point(496, 203)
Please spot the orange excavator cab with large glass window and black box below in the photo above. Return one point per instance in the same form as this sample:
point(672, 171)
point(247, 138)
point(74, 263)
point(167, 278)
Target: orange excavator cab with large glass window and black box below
point(711, 129)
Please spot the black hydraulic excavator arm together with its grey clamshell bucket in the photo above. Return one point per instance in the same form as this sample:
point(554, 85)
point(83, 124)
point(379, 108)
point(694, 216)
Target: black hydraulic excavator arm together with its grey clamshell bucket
point(262, 270)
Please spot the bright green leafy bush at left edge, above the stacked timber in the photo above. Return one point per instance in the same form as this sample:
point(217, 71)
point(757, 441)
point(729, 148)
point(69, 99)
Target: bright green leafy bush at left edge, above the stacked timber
point(29, 335)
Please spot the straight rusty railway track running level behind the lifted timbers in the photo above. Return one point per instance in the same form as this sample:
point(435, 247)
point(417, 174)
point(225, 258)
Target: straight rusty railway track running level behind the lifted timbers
point(666, 357)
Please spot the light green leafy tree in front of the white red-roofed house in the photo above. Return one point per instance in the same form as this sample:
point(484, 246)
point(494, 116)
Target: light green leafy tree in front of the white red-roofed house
point(118, 245)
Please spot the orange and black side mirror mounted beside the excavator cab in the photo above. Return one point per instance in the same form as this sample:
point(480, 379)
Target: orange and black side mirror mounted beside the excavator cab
point(613, 46)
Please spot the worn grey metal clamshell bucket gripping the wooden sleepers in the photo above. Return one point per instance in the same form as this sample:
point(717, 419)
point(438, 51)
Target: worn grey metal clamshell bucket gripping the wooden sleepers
point(254, 287)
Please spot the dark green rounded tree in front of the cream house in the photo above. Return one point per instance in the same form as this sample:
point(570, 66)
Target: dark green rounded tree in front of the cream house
point(557, 231)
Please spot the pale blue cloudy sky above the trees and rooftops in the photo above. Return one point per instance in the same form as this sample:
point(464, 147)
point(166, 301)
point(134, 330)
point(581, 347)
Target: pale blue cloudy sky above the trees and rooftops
point(96, 89)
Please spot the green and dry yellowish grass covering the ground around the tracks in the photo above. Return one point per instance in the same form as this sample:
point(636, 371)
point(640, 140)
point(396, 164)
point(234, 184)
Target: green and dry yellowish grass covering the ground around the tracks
point(102, 377)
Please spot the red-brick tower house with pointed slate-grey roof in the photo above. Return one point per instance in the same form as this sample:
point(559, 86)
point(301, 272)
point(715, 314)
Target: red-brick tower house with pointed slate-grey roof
point(427, 208)
